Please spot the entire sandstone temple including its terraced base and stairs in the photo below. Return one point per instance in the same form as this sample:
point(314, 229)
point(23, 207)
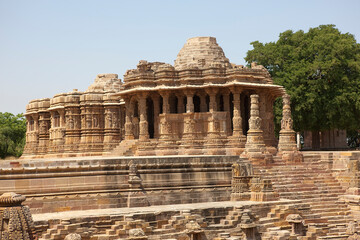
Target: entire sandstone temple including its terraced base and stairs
point(184, 151)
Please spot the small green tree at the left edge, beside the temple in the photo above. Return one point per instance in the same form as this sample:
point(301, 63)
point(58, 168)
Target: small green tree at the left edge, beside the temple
point(12, 134)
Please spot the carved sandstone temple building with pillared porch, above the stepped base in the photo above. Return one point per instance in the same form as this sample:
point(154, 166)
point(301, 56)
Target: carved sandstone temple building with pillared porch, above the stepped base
point(201, 105)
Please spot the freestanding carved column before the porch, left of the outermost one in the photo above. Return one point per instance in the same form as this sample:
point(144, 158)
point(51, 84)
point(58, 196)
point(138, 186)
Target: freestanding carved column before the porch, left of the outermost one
point(255, 149)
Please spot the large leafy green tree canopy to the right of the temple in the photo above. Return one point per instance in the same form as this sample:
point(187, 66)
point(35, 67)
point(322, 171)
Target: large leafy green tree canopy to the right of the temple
point(320, 69)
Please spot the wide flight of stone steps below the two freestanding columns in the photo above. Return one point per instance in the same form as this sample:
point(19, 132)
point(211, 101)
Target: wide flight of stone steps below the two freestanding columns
point(313, 184)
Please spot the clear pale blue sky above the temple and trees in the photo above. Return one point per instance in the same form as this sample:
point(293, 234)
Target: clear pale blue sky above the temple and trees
point(49, 47)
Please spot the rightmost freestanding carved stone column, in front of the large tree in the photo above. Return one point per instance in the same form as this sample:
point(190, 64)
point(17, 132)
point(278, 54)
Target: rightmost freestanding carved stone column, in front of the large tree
point(287, 137)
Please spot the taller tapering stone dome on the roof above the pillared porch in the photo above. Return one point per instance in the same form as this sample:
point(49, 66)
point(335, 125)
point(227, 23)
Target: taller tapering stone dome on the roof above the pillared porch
point(201, 52)
